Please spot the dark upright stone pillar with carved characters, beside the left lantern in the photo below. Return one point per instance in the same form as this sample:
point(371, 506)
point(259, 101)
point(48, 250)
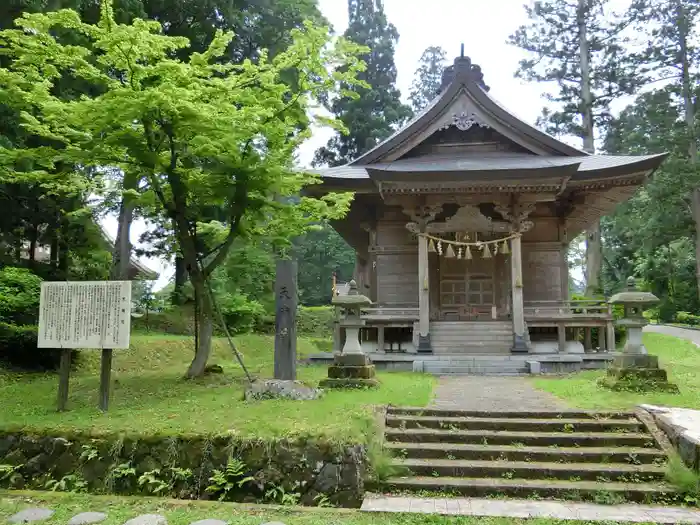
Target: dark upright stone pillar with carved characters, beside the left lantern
point(285, 320)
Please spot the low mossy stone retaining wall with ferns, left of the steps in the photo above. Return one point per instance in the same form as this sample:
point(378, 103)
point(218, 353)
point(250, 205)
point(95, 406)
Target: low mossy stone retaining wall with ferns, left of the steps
point(303, 472)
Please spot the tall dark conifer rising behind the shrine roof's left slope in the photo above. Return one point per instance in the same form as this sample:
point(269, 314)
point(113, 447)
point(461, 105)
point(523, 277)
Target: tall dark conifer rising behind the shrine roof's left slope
point(377, 110)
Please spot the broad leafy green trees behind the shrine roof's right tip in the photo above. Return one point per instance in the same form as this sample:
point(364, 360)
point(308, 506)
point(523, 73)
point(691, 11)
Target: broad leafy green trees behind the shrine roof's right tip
point(651, 234)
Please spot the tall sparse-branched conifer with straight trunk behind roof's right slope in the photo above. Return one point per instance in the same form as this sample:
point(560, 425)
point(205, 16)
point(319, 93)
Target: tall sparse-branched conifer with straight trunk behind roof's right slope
point(579, 47)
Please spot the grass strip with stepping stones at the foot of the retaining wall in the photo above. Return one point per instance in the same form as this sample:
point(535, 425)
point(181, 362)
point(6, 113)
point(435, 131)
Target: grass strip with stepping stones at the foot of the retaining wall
point(180, 512)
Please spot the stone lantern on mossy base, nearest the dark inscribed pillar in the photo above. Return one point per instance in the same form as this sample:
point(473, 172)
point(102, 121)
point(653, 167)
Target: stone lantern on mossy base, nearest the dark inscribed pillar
point(352, 368)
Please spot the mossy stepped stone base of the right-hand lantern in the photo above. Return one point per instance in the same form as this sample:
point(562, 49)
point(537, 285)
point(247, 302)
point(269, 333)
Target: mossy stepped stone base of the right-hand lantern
point(637, 373)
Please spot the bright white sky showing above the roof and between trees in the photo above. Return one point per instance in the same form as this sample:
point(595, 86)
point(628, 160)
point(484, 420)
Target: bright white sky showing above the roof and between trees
point(482, 25)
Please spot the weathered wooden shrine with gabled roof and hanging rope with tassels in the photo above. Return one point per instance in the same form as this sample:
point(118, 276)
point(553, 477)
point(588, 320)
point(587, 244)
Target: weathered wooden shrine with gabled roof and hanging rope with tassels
point(461, 222)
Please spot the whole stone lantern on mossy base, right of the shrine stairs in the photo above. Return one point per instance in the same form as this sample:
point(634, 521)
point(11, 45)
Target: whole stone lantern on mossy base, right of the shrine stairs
point(635, 369)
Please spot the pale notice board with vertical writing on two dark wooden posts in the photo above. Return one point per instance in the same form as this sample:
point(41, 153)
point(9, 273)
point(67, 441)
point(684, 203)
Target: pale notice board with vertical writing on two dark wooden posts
point(90, 314)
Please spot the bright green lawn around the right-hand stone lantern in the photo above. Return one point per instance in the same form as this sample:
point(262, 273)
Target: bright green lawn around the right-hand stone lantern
point(680, 358)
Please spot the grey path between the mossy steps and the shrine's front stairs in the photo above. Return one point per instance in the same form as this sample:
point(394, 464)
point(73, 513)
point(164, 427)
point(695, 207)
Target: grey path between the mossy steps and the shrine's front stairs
point(492, 393)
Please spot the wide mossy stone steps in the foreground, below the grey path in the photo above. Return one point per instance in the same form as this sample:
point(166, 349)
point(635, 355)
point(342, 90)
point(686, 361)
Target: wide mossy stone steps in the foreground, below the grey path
point(605, 457)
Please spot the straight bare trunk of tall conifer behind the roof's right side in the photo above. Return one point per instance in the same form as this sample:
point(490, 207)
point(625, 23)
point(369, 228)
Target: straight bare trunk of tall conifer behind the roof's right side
point(594, 247)
